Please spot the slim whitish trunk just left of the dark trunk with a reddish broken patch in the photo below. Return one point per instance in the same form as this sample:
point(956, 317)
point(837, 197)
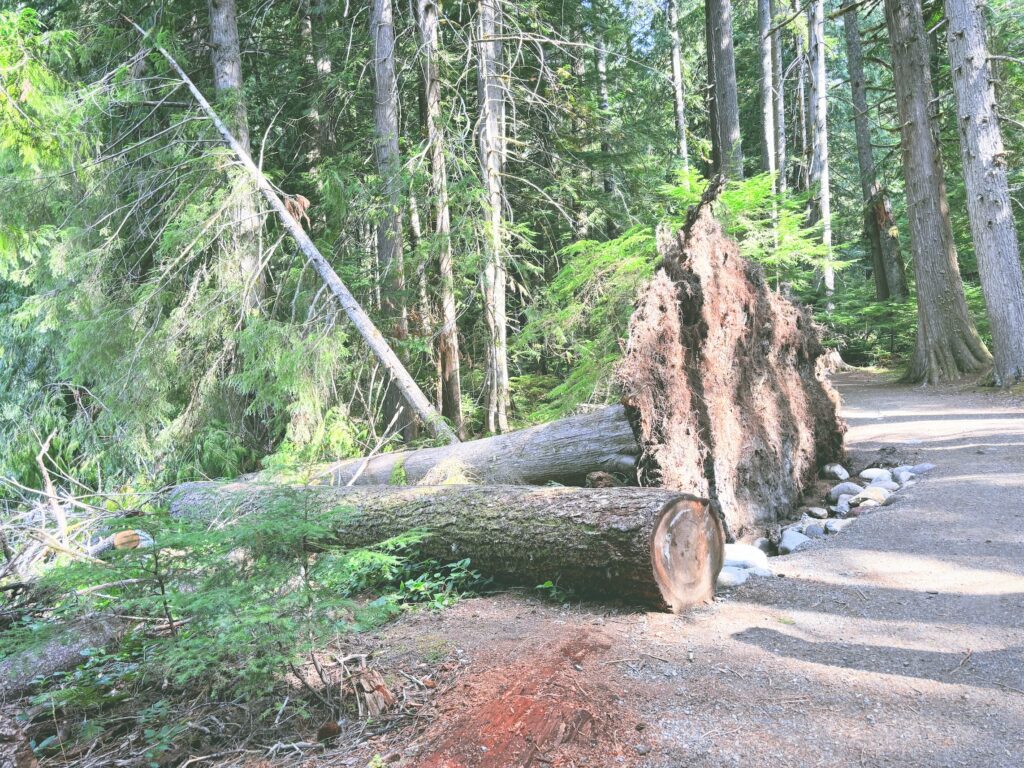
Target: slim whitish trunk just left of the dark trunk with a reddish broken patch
point(821, 203)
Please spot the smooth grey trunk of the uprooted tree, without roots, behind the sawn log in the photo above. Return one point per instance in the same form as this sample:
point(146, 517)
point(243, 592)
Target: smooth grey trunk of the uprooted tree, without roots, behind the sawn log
point(564, 452)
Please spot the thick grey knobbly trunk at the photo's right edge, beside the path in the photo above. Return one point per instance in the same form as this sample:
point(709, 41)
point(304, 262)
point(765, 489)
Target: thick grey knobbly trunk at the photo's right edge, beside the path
point(989, 206)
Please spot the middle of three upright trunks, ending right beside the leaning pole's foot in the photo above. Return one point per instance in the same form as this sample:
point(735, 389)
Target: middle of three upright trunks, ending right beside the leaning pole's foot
point(448, 337)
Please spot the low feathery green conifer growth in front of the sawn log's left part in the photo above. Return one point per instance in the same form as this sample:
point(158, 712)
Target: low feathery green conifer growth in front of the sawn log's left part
point(225, 614)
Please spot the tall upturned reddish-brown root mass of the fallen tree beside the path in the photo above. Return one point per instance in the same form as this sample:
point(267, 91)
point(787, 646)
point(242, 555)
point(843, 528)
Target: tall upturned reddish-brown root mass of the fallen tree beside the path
point(752, 414)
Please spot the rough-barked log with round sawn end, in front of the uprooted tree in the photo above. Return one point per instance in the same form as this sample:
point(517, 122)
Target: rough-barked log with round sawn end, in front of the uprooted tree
point(648, 546)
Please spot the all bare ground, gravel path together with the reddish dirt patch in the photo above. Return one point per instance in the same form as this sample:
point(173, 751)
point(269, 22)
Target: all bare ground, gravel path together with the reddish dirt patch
point(899, 643)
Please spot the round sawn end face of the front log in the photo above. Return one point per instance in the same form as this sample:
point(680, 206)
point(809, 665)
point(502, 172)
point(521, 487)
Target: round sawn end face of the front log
point(687, 552)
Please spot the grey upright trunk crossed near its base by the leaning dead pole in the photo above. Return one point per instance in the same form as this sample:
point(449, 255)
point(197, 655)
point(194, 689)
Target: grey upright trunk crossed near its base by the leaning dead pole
point(390, 233)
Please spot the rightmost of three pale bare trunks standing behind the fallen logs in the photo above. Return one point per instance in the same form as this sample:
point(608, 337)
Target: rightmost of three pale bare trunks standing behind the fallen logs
point(494, 278)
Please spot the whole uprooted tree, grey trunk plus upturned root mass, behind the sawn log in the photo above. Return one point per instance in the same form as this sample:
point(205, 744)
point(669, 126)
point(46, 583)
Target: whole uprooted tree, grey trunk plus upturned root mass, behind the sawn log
point(724, 397)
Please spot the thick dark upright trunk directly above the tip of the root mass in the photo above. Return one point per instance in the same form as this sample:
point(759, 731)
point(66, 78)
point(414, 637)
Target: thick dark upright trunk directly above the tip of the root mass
point(723, 65)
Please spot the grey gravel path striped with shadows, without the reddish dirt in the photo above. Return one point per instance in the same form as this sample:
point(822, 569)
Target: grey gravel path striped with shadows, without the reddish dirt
point(900, 643)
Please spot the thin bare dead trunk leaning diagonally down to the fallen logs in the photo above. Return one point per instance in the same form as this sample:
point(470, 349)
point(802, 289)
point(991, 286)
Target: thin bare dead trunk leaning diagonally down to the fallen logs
point(411, 393)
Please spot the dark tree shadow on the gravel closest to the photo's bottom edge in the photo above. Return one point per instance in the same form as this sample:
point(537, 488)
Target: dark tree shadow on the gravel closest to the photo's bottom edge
point(1003, 670)
